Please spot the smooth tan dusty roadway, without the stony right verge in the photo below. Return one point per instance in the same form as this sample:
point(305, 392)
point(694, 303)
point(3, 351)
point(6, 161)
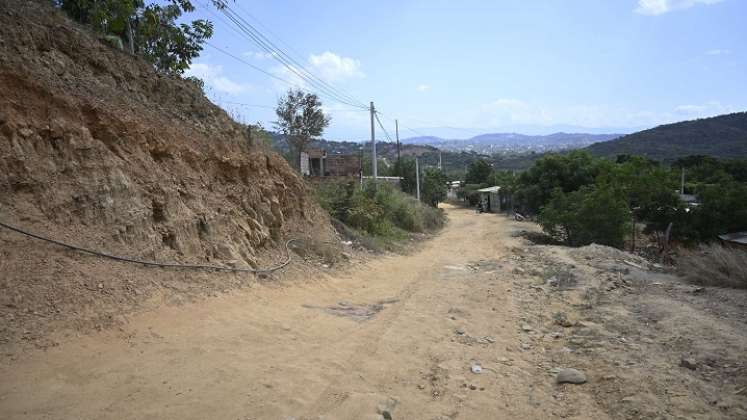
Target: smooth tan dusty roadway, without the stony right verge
point(305, 350)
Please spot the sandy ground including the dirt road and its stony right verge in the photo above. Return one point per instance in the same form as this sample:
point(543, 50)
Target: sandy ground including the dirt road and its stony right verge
point(396, 337)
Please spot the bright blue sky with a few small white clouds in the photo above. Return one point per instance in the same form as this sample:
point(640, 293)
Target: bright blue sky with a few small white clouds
point(459, 68)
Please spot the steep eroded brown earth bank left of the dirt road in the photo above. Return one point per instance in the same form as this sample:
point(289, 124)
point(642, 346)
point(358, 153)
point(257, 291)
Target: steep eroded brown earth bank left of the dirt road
point(98, 150)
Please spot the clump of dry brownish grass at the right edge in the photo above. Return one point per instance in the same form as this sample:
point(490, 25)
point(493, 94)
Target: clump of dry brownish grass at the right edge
point(715, 265)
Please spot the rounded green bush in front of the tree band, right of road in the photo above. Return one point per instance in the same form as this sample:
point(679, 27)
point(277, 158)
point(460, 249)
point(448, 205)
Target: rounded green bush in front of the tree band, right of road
point(592, 214)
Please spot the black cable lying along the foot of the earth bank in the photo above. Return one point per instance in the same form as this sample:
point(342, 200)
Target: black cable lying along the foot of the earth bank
point(153, 263)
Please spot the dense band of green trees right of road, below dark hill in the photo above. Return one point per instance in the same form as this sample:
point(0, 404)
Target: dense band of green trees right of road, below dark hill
point(557, 186)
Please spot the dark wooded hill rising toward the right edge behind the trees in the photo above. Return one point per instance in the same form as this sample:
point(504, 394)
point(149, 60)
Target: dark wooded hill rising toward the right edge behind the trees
point(724, 136)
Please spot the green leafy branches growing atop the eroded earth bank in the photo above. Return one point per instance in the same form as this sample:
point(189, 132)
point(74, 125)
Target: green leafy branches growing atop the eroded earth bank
point(149, 30)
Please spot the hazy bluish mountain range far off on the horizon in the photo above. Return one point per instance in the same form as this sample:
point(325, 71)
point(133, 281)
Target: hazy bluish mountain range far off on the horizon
point(512, 142)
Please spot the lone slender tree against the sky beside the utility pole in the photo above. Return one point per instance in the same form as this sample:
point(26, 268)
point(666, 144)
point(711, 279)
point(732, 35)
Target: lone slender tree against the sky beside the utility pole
point(300, 119)
